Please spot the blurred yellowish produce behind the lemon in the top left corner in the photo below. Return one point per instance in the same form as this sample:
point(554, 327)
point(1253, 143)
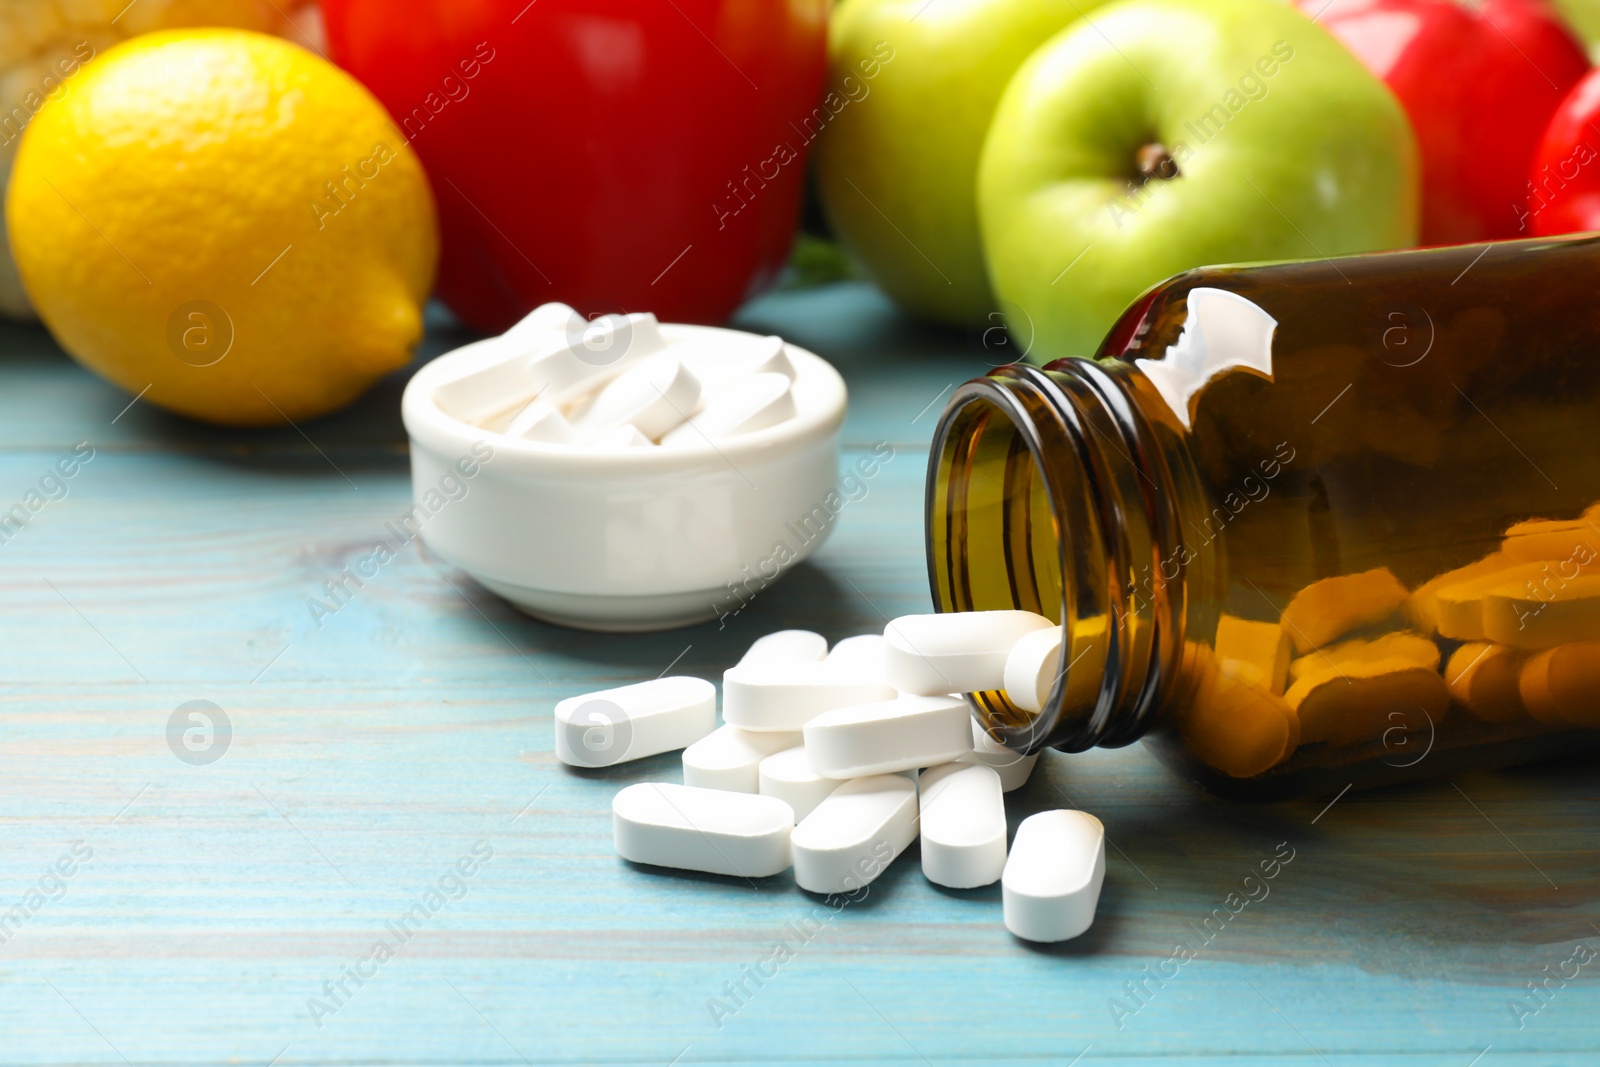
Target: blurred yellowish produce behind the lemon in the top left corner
point(44, 44)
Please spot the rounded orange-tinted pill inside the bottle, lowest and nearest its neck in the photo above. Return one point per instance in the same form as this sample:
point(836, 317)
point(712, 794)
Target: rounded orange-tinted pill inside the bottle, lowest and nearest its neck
point(1238, 729)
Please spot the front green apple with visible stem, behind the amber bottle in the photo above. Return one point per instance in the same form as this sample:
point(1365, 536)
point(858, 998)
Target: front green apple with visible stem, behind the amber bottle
point(1178, 134)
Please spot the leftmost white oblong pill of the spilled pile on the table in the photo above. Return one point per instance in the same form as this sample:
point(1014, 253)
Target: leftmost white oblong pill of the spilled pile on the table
point(634, 721)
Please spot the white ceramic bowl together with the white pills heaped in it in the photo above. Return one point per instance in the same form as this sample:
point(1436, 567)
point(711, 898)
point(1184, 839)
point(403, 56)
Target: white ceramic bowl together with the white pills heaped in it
point(625, 474)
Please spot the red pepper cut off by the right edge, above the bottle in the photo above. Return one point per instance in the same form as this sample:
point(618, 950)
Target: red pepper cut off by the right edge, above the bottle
point(1564, 186)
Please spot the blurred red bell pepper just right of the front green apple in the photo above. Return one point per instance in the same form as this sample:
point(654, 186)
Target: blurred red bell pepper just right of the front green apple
point(1479, 82)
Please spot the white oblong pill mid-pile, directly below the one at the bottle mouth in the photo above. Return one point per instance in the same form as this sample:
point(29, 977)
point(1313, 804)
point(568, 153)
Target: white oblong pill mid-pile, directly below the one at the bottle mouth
point(898, 735)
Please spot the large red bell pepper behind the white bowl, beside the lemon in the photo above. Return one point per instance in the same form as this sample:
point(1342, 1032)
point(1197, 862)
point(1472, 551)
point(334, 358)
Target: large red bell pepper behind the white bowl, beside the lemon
point(620, 156)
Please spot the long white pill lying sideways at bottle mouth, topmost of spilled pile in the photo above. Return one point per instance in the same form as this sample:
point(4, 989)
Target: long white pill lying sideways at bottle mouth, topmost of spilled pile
point(958, 652)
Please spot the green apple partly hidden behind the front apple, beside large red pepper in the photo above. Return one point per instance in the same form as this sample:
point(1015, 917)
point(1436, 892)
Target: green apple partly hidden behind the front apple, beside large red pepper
point(913, 89)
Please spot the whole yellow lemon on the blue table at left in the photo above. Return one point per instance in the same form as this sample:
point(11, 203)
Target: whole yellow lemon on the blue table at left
point(226, 225)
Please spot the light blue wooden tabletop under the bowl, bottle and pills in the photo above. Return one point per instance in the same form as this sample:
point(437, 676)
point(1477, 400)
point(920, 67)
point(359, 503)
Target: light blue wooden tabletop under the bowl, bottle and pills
point(210, 905)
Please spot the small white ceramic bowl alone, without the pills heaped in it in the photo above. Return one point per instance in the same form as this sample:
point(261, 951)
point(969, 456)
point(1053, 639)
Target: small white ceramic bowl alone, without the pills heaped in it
point(626, 540)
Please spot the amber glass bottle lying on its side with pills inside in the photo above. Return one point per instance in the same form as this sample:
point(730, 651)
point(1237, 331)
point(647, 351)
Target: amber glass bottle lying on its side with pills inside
point(1306, 526)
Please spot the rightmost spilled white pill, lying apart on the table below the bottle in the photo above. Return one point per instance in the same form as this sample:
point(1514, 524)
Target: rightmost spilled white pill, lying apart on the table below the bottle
point(1054, 876)
